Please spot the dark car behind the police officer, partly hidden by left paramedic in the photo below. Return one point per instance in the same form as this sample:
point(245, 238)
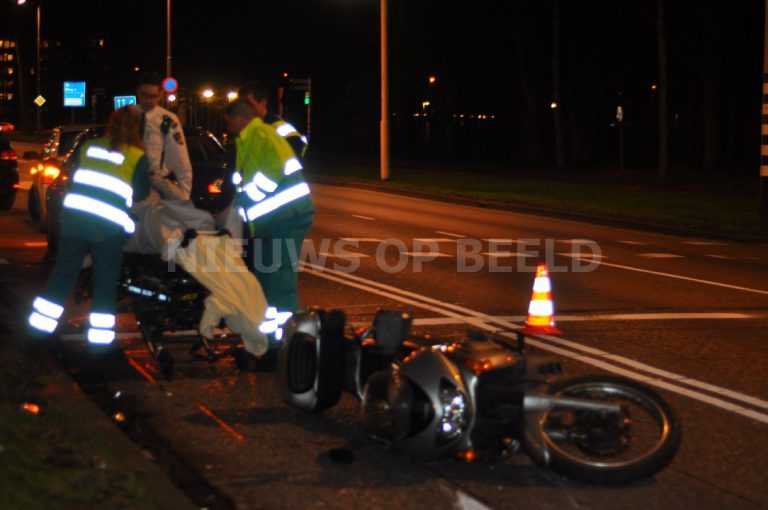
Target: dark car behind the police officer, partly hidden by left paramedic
point(209, 175)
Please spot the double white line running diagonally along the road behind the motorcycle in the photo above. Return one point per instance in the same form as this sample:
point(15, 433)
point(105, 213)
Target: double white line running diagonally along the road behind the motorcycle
point(588, 355)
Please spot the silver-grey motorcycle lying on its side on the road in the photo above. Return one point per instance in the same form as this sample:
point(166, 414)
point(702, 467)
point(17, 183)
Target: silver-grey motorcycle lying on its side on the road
point(480, 398)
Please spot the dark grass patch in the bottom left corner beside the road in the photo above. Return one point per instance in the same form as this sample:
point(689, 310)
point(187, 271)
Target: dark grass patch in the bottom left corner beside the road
point(60, 457)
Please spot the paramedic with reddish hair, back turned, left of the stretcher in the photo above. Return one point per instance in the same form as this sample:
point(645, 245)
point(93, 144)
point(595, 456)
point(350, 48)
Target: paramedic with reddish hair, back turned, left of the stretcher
point(110, 173)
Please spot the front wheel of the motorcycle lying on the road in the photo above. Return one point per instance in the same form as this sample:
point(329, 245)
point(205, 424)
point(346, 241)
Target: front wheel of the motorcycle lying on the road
point(607, 448)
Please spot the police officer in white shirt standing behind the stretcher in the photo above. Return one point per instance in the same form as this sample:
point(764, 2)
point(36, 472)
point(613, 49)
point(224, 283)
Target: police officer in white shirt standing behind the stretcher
point(169, 165)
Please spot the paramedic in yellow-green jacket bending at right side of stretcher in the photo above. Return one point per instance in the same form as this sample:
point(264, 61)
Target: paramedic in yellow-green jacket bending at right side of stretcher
point(274, 201)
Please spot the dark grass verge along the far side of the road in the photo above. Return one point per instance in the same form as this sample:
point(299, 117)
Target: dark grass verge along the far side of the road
point(708, 205)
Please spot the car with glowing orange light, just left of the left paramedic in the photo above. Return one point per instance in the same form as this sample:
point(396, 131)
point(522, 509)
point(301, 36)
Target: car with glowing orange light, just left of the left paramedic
point(45, 170)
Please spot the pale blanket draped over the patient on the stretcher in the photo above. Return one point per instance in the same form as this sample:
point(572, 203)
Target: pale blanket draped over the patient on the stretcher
point(215, 261)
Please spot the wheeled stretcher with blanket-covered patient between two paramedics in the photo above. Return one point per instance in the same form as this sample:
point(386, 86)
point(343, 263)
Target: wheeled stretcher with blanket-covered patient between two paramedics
point(190, 284)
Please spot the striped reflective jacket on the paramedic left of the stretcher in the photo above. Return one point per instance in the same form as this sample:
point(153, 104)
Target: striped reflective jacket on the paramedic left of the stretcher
point(101, 184)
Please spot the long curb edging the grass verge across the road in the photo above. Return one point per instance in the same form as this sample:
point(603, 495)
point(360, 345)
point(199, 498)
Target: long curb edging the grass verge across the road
point(552, 213)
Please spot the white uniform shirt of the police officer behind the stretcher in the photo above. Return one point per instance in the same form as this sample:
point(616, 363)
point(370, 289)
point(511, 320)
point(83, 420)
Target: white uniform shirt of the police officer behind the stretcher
point(176, 158)
